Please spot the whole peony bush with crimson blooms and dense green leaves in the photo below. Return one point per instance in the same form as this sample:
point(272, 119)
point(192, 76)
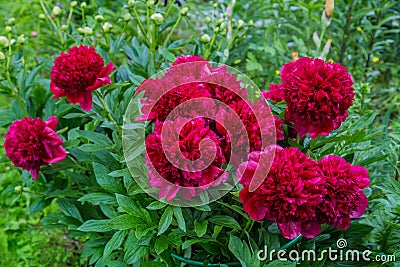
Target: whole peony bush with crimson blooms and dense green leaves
point(169, 160)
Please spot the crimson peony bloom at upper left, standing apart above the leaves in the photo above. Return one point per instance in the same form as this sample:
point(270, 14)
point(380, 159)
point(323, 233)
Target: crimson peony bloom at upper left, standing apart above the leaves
point(78, 72)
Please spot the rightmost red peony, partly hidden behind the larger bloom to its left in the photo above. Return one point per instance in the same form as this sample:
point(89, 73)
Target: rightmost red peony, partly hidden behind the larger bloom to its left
point(344, 197)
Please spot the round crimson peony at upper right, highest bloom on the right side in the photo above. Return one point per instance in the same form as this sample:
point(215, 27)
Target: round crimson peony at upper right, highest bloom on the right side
point(317, 94)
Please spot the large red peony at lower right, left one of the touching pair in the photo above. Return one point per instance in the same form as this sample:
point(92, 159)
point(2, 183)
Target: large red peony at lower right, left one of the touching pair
point(290, 191)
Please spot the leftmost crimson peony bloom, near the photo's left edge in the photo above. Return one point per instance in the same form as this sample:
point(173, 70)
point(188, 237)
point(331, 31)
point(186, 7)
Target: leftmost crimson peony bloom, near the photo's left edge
point(31, 143)
